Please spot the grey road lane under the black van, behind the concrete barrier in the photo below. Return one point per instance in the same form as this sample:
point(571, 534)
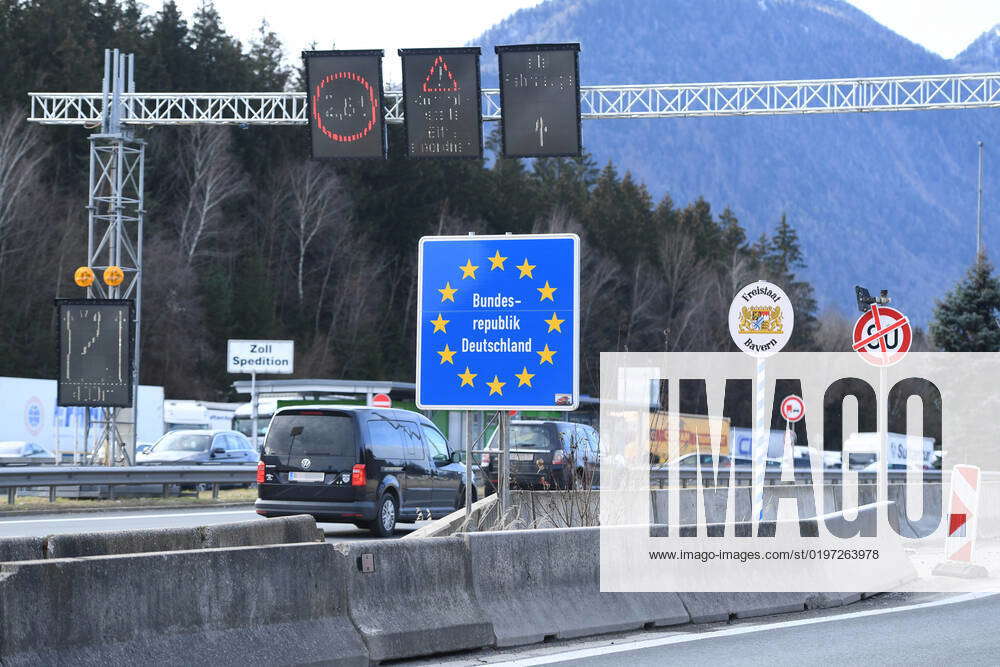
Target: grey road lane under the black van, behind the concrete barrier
point(177, 517)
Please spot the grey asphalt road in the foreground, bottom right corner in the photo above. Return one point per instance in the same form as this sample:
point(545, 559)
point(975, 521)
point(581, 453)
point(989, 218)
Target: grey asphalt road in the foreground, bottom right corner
point(953, 630)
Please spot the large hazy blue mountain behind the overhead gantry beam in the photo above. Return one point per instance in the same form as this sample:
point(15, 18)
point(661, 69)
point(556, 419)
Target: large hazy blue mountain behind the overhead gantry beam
point(885, 200)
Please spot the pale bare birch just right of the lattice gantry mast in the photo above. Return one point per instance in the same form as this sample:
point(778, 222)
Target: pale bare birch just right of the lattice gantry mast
point(212, 176)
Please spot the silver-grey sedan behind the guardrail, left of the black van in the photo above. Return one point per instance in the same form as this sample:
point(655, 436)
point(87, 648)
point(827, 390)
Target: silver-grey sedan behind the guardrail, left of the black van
point(199, 446)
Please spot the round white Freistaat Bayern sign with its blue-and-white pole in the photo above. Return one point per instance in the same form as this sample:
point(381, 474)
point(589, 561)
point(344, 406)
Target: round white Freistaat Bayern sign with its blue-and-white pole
point(761, 319)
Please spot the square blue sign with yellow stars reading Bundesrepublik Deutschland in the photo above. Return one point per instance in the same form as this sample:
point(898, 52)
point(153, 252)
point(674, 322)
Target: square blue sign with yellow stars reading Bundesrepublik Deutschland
point(499, 322)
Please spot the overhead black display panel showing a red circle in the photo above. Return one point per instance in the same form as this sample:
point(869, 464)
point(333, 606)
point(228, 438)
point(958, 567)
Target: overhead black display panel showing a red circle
point(344, 97)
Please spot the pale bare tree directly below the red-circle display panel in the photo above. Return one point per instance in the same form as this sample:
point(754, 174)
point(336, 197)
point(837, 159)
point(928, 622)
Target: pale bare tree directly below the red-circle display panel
point(318, 201)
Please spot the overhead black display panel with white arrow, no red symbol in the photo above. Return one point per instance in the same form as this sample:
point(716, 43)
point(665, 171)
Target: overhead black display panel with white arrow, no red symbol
point(540, 100)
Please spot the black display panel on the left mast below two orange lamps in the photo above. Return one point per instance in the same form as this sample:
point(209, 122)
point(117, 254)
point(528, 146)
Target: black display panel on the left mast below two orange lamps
point(96, 339)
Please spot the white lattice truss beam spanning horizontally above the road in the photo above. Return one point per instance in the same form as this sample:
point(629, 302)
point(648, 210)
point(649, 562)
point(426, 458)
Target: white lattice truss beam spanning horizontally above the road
point(952, 91)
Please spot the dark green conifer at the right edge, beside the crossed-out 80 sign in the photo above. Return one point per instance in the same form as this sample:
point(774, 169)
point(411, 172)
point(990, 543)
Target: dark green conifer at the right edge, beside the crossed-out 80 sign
point(966, 319)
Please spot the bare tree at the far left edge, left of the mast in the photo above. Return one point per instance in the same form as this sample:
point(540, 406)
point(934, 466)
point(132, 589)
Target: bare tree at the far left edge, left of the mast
point(21, 155)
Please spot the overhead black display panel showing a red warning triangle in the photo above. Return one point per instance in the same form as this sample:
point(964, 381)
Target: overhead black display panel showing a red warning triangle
point(442, 104)
